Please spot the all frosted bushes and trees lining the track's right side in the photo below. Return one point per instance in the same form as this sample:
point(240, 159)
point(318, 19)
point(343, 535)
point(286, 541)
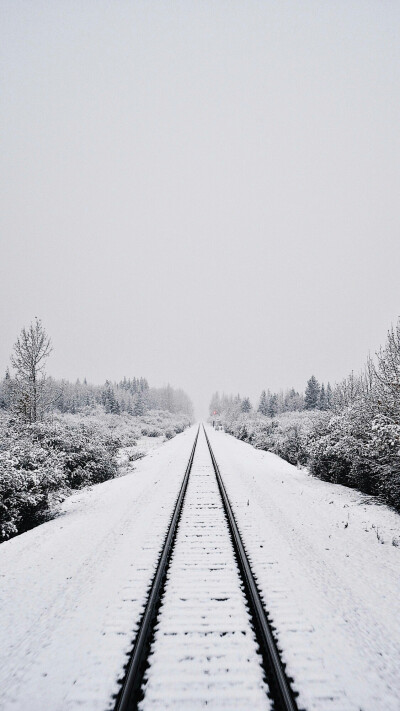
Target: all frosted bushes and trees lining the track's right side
point(349, 436)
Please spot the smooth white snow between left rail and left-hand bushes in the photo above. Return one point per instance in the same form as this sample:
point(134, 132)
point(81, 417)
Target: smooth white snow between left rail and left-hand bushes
point(72, 591)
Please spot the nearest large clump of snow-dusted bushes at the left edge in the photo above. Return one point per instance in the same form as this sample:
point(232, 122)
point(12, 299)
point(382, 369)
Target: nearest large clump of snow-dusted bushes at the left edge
point(40, 463)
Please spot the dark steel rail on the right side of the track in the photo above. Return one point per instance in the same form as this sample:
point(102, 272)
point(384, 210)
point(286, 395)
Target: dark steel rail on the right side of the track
point(279, 685)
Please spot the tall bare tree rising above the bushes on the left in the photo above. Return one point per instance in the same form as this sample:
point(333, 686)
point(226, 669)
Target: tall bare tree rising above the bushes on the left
point(29, 355)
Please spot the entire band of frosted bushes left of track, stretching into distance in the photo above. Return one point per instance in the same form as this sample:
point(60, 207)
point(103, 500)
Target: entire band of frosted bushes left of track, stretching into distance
point(41, 463)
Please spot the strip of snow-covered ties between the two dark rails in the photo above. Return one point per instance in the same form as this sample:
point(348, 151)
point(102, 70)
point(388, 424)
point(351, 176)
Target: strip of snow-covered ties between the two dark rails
point(204, 653)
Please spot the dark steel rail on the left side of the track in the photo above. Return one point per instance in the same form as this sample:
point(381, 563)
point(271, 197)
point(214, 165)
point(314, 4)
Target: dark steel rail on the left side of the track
point(128, 696)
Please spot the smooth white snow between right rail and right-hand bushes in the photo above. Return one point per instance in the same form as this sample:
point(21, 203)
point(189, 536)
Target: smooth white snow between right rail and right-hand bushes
point(328, 567)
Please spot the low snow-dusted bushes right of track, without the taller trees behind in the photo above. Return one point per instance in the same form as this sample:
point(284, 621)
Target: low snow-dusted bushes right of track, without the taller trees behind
point(352, 445)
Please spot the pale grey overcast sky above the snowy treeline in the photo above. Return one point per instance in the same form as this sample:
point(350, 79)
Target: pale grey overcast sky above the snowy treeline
point(205, 193)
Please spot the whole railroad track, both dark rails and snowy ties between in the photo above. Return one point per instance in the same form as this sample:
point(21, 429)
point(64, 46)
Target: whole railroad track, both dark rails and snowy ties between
point(204, 636)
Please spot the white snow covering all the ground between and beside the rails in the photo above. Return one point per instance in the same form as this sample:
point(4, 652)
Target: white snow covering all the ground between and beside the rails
point(72, 590)
